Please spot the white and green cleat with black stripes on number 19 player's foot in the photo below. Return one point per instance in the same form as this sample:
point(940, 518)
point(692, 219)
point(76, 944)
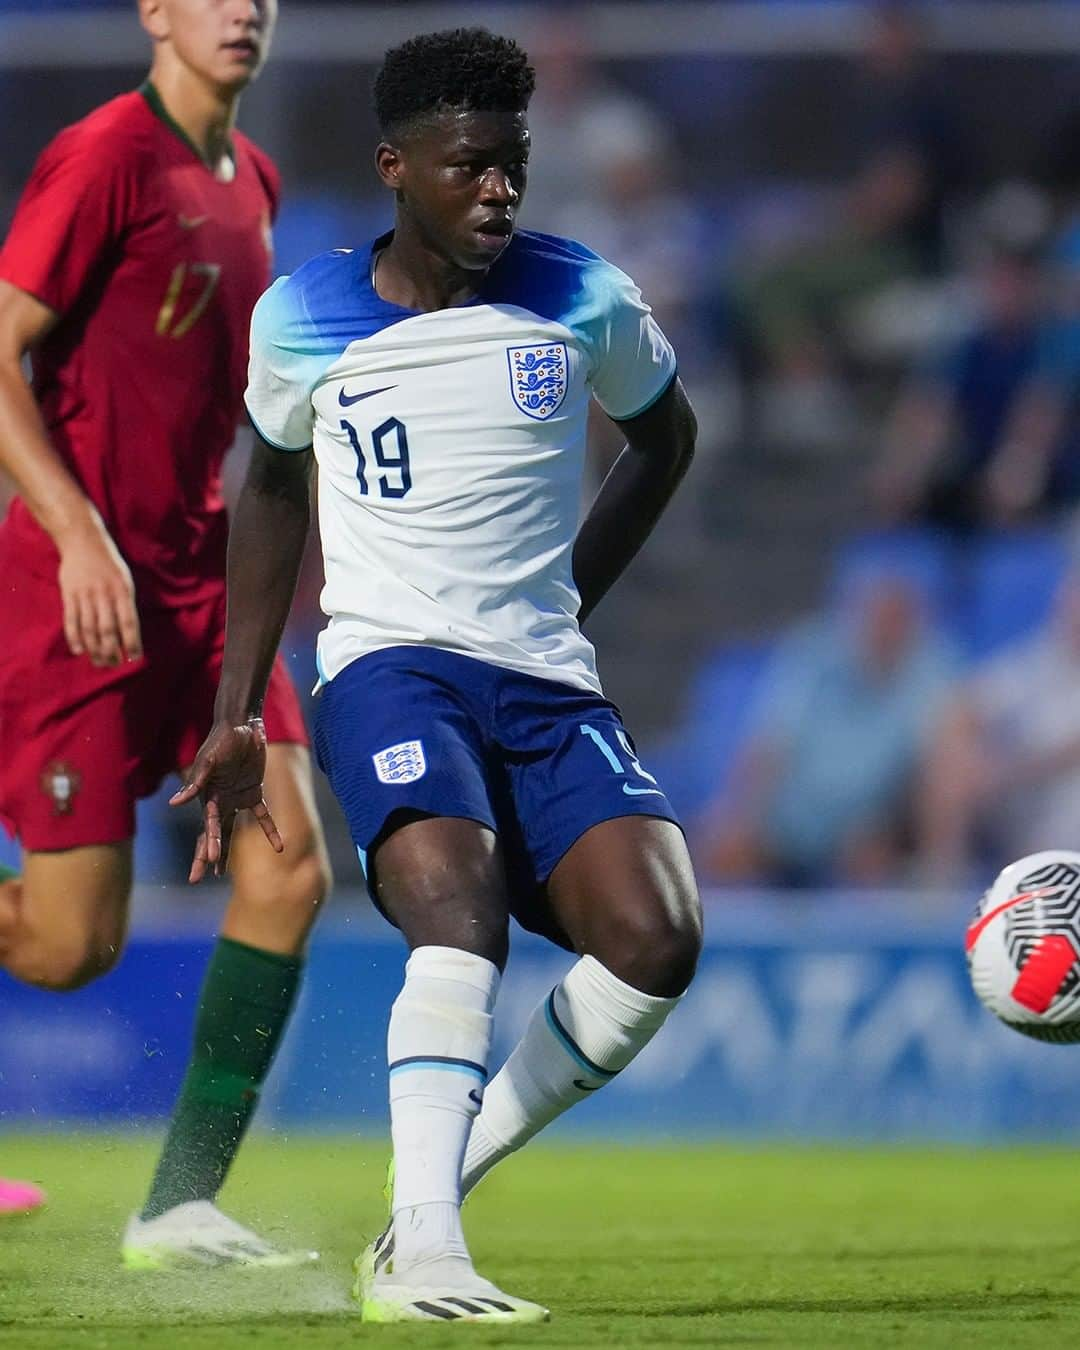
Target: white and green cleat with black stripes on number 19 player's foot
point(388, 1298)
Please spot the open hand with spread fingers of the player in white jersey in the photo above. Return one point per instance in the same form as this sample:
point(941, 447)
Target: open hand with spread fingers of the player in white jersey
point(227, 776)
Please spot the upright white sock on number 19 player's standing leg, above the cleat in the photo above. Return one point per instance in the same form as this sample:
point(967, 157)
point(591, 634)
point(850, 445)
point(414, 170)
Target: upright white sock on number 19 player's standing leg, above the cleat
point(438, 1047)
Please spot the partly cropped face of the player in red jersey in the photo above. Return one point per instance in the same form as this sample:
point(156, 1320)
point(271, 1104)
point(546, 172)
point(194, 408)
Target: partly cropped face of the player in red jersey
point(225, 43)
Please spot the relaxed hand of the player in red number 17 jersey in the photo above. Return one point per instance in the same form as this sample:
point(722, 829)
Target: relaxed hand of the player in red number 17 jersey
point(99, 599)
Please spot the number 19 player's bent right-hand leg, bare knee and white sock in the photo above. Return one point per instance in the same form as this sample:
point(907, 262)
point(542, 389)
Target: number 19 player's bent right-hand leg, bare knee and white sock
point(626, 897)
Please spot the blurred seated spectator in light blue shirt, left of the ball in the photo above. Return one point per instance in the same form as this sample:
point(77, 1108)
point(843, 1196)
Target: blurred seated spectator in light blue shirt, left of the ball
point(824, 790)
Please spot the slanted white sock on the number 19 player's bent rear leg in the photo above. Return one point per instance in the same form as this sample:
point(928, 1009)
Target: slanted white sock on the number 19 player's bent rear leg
point(588, 1029)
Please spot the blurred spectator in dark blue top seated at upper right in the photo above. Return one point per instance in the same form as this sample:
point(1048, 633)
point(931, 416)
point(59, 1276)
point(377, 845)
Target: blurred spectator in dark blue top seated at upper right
point(973, 439)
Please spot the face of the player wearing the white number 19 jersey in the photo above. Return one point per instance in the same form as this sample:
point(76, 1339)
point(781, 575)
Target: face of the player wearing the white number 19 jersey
point(460, 182)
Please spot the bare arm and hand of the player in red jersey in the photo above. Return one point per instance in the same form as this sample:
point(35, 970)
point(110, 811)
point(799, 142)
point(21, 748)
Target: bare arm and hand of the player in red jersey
point(95, 583)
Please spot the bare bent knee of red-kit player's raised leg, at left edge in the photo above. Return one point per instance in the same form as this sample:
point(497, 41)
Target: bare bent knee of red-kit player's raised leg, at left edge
point(64, 921)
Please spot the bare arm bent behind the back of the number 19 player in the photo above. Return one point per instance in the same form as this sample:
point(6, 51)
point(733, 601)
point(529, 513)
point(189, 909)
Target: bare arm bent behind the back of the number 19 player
point(635, 493)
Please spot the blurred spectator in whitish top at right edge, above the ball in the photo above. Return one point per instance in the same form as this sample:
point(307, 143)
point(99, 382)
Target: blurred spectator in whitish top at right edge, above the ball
point(1004, 778)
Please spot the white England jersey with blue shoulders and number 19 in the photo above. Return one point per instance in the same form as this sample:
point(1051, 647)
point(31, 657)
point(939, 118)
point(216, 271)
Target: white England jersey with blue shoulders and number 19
point(452, 445)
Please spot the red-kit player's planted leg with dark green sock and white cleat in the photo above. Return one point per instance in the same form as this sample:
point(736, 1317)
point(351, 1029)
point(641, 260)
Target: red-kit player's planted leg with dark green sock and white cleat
point(248, 996)
